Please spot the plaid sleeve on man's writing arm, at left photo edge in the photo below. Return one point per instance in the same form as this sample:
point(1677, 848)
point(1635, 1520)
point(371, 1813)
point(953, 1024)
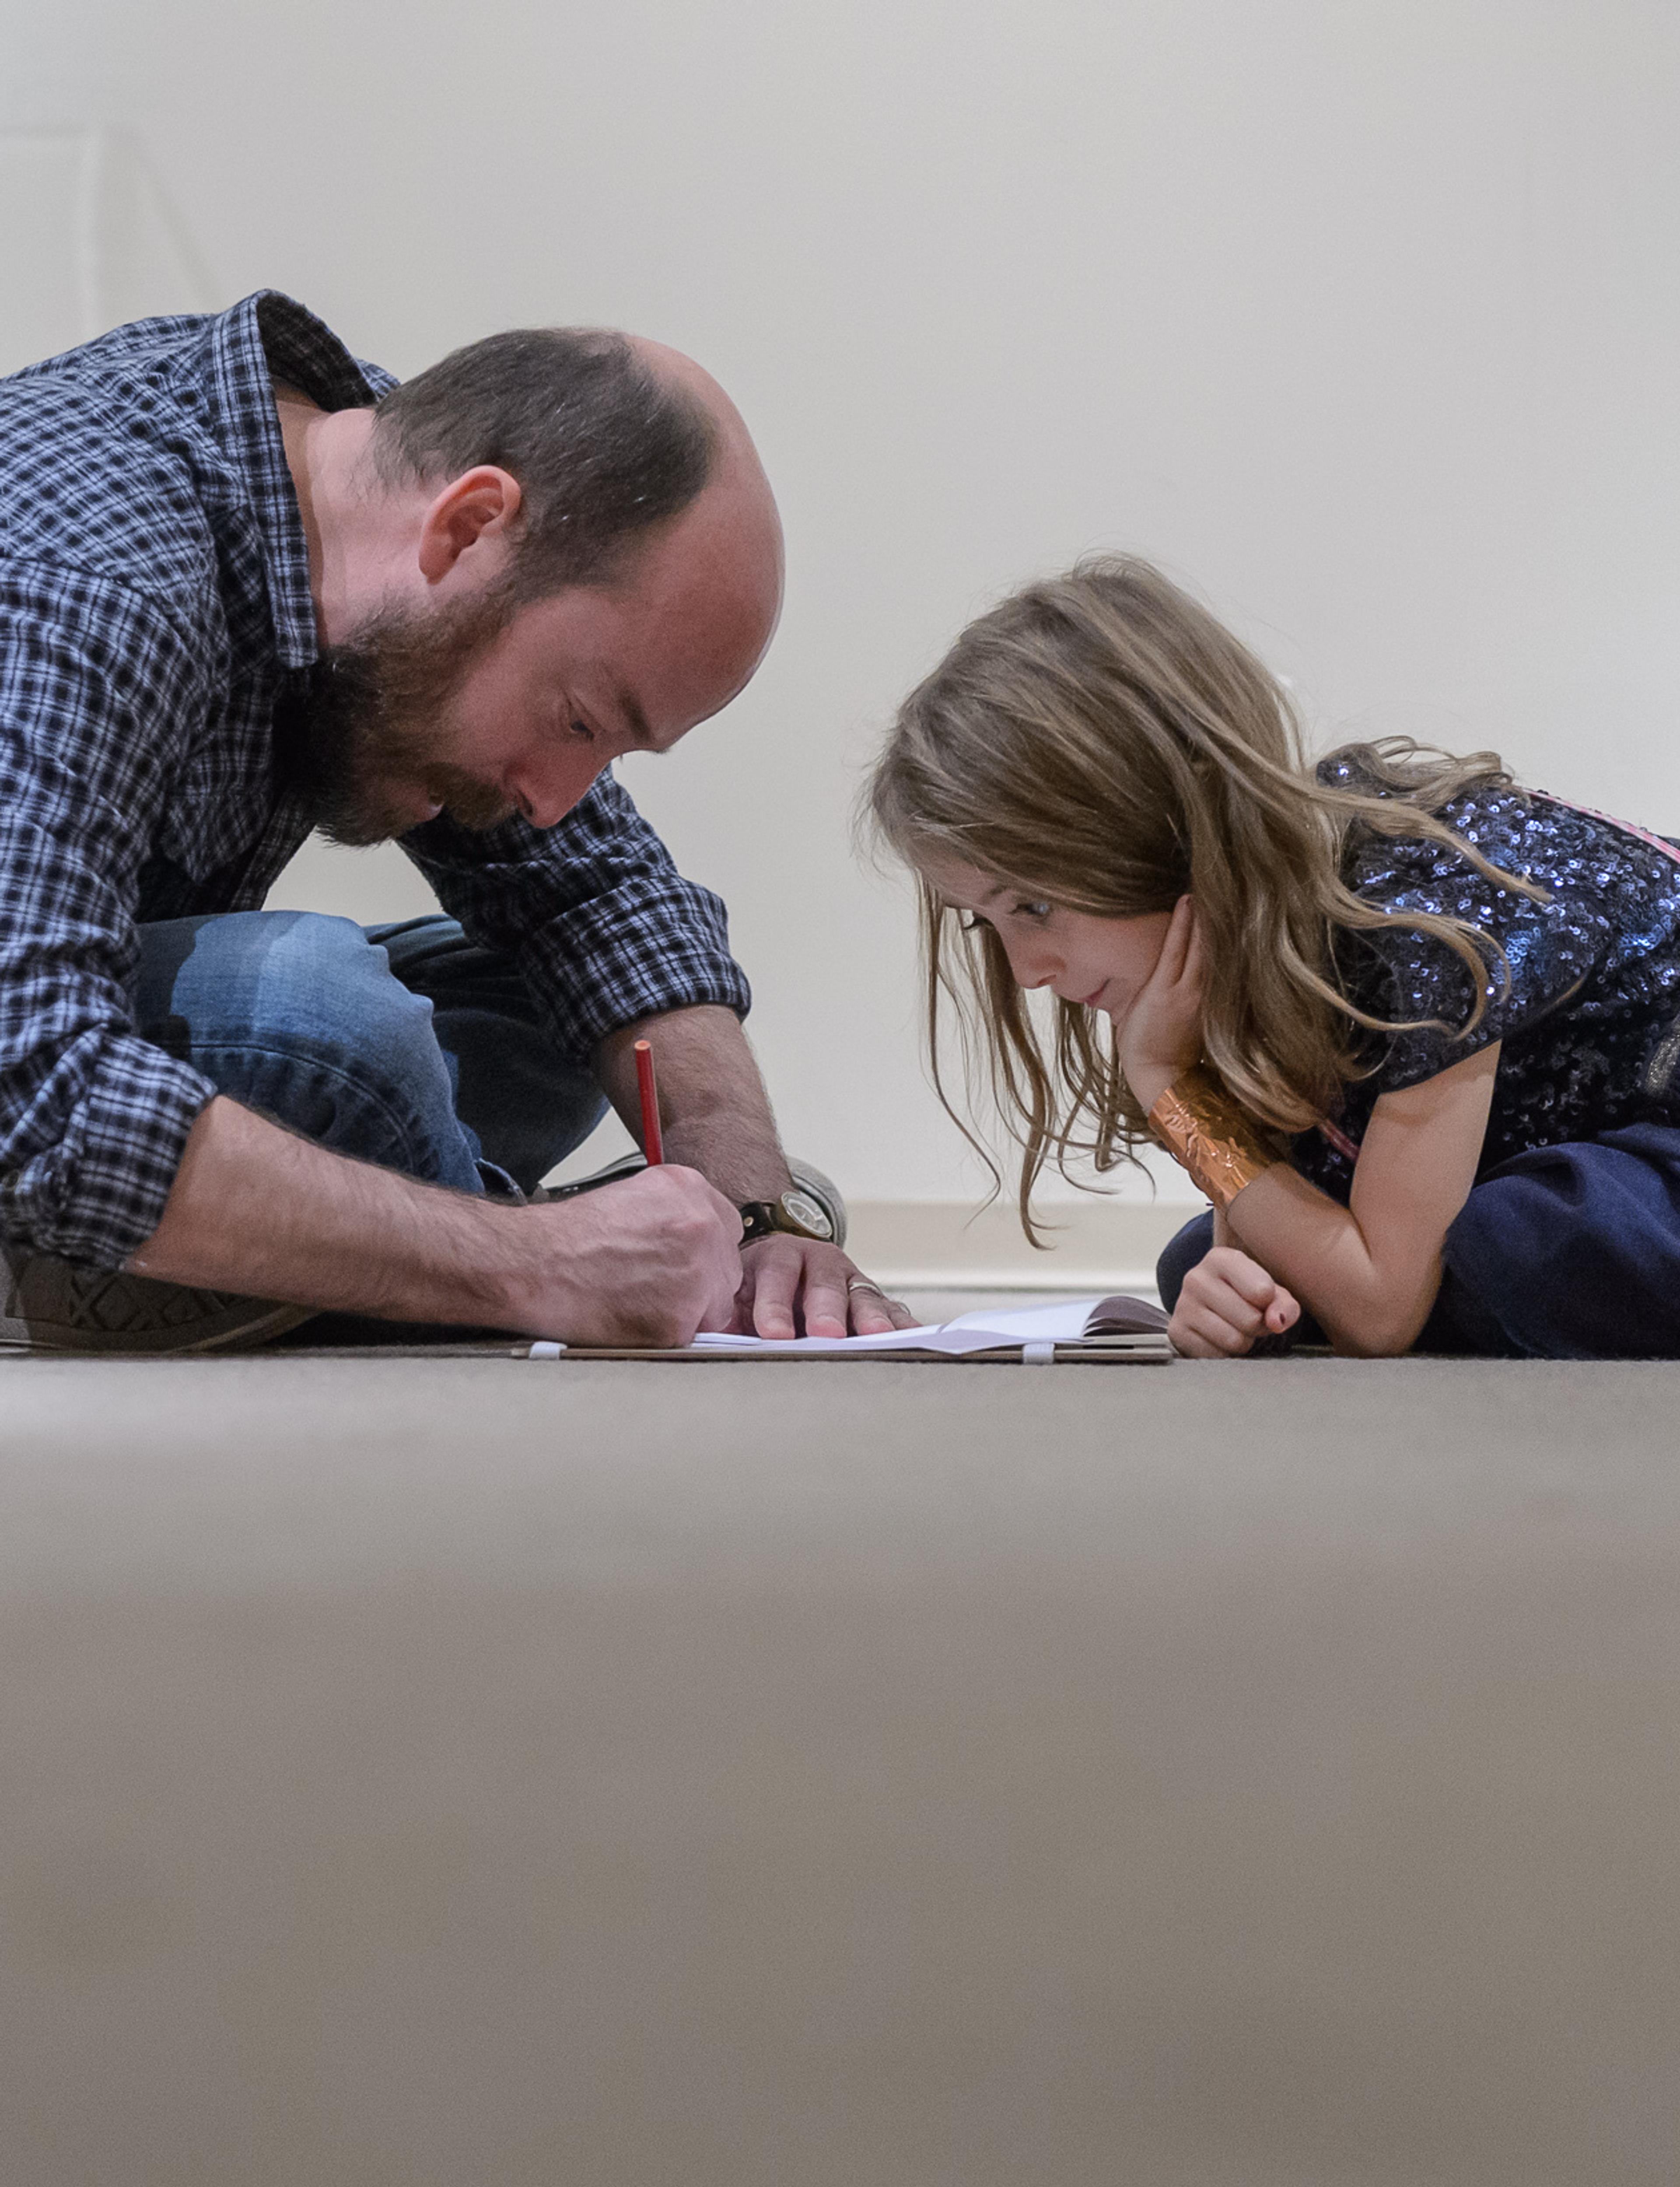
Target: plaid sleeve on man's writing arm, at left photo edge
point(97, 686)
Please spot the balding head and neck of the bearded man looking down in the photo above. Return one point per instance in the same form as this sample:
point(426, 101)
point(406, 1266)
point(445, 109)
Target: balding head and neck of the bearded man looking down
point(544, 554)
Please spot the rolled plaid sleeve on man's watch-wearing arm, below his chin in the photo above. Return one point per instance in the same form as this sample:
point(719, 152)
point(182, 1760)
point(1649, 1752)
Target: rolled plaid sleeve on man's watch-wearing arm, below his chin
point(594, 909)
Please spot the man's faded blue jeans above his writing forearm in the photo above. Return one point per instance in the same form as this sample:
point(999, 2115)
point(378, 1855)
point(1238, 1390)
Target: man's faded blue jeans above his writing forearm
point(406, 1046)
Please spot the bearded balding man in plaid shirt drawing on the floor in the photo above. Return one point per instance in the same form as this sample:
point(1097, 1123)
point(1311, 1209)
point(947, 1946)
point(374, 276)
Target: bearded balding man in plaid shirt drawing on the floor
point(250, 587)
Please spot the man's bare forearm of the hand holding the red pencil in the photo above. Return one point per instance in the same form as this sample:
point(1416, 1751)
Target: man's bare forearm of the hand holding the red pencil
point(264, 1213)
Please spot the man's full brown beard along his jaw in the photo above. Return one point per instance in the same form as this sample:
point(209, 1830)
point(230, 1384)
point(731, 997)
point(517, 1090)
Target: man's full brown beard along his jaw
point(375, 725)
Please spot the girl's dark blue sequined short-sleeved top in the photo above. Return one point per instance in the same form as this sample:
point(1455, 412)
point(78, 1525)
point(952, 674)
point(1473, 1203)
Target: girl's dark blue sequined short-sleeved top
point(1591, 1014)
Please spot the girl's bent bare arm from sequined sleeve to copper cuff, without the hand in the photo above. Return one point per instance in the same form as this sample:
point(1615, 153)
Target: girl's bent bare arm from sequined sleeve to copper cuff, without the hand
point(1370, 1272)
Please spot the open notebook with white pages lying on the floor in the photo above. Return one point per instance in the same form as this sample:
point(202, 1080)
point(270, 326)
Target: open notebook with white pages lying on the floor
point(1115, 1329)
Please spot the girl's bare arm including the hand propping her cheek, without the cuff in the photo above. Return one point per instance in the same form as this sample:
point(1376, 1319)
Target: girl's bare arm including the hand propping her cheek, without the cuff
point(1368, 1272)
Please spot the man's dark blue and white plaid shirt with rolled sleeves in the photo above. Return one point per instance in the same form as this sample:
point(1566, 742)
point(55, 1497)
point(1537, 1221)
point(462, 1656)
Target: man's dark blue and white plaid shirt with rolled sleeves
point(154, 620)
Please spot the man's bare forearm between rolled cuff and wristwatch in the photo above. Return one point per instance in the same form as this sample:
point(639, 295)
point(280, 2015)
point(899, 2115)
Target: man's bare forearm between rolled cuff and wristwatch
point(712, 1101)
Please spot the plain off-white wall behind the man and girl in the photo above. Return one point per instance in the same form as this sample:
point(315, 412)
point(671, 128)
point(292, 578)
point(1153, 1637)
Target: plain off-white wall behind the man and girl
point(1366, 318)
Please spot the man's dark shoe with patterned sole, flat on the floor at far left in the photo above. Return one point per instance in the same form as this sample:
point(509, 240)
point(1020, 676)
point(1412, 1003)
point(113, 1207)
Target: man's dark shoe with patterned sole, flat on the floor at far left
point(51, 1305)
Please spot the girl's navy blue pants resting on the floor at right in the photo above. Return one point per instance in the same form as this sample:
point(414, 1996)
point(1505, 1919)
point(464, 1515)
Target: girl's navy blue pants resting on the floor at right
point(1561, 1254)
